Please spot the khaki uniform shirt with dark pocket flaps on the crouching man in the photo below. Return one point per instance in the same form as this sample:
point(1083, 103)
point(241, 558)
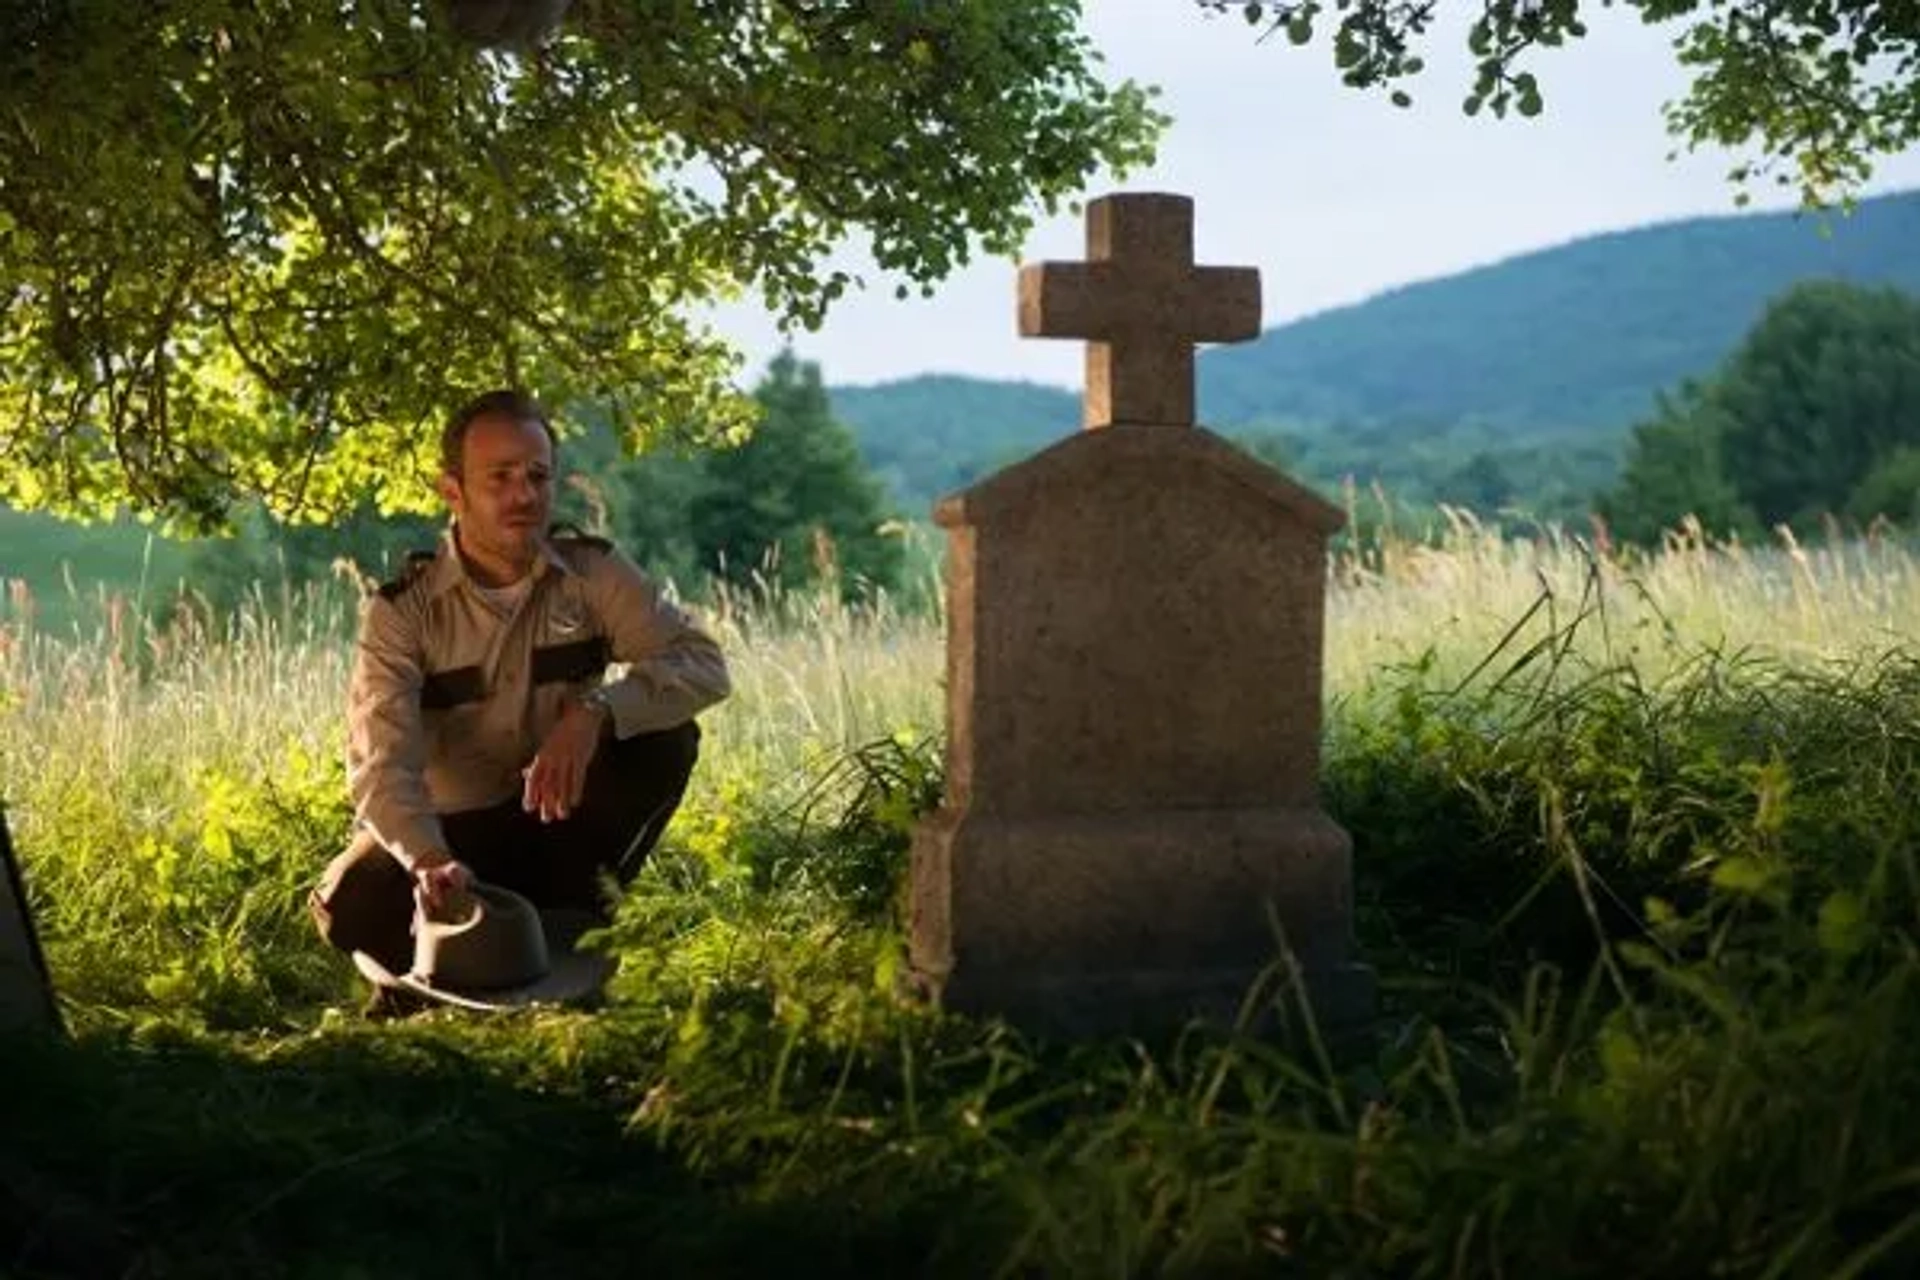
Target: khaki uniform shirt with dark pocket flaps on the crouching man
point(450, 699)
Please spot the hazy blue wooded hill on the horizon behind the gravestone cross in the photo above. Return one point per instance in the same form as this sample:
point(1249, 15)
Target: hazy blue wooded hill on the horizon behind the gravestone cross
point(1533, 367)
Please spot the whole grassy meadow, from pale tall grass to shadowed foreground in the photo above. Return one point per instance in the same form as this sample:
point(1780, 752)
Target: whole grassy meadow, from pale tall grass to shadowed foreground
point(1635, 849)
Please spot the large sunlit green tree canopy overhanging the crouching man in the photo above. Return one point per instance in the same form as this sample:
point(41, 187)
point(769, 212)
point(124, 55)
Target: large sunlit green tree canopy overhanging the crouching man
point(260, 249)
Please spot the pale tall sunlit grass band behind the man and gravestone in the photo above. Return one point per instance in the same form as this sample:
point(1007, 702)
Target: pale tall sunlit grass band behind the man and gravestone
point(120, 696)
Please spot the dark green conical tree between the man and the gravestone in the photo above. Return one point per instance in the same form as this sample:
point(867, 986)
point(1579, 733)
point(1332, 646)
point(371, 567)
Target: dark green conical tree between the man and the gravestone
point(792, 494)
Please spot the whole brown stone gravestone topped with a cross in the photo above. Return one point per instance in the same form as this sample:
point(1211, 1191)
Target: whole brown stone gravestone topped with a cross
point(1134, 686)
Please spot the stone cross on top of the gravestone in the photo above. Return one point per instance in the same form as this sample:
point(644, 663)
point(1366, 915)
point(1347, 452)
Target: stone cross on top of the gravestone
point(1141, 304)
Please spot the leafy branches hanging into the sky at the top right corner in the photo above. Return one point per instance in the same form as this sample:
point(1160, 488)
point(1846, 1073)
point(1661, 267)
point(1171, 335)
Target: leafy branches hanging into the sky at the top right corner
point(1815, 87)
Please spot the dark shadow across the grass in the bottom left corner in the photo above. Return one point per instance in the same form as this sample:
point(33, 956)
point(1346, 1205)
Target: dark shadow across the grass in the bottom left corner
point(370, 1154)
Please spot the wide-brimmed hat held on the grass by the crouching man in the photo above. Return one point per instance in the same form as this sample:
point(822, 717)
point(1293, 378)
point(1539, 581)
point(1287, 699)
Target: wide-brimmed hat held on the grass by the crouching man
point(496, 951)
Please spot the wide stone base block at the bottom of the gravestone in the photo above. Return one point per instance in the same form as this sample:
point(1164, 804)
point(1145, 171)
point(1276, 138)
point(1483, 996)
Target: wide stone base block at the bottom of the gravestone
point(1136, 922)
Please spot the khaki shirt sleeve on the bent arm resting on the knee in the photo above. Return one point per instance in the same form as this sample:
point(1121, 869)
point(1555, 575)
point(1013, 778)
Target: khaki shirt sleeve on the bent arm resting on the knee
point(673, 669)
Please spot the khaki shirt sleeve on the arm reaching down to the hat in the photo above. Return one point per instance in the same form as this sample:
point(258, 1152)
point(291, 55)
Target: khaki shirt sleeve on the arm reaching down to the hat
point(387, 740)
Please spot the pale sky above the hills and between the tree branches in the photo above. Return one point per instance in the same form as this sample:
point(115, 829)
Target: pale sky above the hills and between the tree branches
point(1332, 193)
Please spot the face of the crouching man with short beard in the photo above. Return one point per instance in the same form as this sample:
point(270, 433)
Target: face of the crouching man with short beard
point(504, 494)
